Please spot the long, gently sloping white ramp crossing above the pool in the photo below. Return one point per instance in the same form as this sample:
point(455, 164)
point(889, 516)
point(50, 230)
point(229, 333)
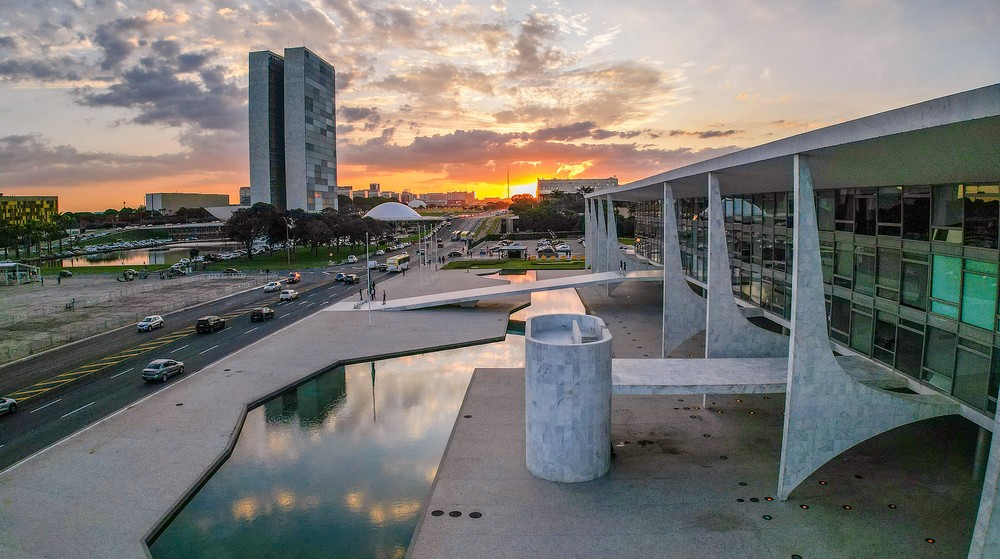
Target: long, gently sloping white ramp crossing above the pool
point(469, 297)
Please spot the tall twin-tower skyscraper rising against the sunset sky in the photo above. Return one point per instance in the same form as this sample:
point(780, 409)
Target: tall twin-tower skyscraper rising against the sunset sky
point(293, 130)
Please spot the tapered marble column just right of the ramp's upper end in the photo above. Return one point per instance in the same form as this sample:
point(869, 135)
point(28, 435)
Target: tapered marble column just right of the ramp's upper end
point(683, 309)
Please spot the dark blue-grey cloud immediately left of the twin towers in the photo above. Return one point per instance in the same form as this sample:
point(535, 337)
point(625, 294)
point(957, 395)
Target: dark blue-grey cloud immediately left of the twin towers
point(153, 88)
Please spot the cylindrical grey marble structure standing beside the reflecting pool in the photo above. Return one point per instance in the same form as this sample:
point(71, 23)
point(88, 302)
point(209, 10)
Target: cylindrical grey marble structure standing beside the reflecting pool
point(567, 397)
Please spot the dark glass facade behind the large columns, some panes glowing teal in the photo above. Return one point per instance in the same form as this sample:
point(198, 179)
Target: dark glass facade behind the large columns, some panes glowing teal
point(911, 274)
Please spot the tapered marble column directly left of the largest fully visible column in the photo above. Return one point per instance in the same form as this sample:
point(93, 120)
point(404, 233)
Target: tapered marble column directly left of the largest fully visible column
point(727, 332)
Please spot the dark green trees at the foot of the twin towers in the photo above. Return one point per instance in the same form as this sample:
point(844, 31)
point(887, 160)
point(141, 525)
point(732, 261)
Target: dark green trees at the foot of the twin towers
point(326, 228)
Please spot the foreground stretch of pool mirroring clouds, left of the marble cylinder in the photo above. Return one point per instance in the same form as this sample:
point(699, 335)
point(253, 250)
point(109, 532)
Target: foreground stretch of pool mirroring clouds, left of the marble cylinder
point(325, 470)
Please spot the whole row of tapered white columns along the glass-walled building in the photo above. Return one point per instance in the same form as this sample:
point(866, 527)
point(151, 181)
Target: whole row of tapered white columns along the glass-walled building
point(826, 410)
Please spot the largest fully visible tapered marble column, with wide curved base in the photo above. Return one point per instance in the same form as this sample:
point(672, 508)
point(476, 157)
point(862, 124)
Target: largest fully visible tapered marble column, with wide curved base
point(826, 411)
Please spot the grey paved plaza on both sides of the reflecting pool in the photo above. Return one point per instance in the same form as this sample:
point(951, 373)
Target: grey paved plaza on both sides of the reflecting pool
point(685, 481)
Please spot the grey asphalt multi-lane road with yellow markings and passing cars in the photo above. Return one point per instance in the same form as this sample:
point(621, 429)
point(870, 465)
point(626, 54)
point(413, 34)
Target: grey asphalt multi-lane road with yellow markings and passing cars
point(74, 386)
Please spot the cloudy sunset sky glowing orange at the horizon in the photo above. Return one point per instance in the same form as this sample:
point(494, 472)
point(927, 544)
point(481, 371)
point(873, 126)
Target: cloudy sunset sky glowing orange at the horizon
point(104, 101)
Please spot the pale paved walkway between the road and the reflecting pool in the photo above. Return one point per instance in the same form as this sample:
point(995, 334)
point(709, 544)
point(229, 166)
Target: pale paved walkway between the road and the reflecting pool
point(99, 493)
